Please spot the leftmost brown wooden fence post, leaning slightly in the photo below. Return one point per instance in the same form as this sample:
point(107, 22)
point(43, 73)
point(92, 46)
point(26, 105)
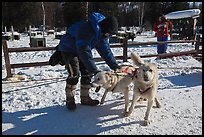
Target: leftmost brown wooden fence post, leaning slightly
point(6, 58)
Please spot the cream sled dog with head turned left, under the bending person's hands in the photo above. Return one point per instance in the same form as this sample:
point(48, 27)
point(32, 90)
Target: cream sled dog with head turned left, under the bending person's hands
point(115, 82)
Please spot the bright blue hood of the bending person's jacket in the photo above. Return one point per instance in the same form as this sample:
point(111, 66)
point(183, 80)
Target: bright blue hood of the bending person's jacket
point(95, 18)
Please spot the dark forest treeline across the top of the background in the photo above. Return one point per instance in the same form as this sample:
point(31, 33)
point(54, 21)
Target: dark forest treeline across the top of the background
point(63, 14)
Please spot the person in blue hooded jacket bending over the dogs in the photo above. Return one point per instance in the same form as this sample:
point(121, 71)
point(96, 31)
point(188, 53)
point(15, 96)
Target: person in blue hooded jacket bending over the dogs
point(75, 48)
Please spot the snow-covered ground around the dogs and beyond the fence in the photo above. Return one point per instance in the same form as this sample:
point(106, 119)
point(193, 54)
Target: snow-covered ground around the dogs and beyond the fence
point(38, 107)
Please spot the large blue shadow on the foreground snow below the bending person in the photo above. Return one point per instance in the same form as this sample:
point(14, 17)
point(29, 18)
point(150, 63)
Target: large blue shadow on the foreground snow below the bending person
point(57, 120)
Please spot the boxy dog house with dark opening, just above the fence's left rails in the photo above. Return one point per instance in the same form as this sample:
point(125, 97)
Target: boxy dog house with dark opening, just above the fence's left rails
point(37, 42)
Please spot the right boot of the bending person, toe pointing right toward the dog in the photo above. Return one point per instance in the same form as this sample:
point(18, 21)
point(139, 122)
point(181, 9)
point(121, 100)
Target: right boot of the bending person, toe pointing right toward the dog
point(84, 95)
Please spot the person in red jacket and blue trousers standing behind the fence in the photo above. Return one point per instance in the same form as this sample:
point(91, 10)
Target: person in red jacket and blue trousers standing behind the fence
point(163, 30)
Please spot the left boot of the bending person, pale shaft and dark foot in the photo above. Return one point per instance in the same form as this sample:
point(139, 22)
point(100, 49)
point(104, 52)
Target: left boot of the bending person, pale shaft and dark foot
point(70, 101)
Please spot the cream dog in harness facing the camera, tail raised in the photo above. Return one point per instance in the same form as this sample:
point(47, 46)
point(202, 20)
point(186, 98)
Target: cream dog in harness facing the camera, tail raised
point(145, 81)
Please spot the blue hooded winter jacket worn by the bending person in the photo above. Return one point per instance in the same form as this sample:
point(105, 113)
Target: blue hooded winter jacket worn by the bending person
point(81, 37)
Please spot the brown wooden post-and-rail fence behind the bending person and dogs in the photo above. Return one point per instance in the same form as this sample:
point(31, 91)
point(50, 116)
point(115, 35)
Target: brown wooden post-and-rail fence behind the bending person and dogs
point(124, 45)
